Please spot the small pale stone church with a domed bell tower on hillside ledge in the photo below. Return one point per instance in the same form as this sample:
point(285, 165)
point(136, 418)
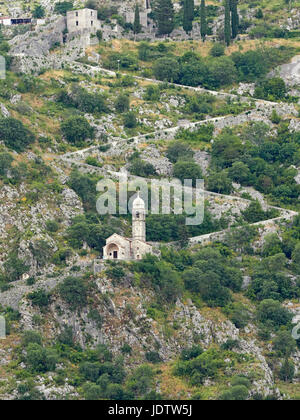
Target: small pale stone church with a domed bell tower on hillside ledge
point(120, 248)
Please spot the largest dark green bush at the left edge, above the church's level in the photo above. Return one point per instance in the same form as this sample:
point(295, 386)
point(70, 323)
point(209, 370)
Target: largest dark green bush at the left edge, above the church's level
point(15, 135)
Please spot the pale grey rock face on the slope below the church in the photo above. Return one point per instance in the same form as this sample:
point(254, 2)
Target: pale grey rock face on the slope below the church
point(125, 320)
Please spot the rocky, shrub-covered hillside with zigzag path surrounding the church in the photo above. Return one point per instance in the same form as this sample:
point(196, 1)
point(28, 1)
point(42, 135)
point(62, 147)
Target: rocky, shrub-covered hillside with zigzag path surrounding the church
point(212, 317)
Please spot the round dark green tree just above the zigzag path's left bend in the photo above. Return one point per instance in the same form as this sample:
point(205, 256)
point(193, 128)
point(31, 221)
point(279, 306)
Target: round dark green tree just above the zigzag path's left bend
point(76, 130)
